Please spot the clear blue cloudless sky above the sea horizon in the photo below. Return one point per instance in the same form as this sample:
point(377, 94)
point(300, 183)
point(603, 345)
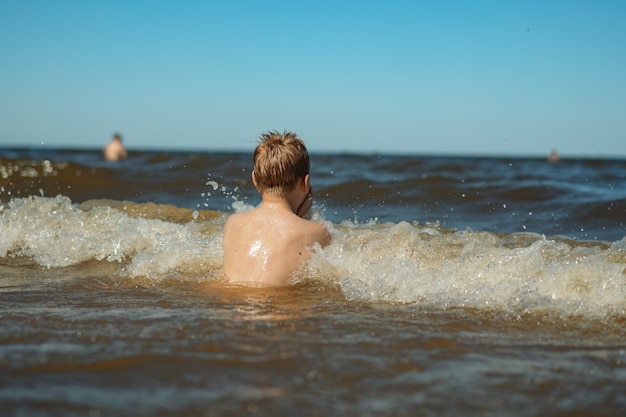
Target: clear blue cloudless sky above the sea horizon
point(421, 77)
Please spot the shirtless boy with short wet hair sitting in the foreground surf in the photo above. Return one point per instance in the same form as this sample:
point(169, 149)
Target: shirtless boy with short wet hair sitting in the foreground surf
point(265, 246)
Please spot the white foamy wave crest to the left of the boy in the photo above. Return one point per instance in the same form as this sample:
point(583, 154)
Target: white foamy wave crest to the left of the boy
point(53, 232)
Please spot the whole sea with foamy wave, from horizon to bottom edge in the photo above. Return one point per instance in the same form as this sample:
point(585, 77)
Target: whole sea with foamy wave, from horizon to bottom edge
point(453, 286)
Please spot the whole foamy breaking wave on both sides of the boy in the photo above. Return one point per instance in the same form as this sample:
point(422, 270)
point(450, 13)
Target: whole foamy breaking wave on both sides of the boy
point(398, 262)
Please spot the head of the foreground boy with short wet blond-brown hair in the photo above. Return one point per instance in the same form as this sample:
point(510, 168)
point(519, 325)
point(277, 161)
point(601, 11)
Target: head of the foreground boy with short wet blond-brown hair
point(280, 160)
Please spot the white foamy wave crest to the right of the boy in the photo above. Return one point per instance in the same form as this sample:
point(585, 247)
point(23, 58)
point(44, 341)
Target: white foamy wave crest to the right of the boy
point(405, 263)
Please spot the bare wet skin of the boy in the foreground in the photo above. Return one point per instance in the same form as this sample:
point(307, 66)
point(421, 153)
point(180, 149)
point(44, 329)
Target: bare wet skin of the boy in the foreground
point(265, 246)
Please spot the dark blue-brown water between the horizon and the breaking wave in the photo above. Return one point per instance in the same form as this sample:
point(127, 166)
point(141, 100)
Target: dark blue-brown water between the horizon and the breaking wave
point(582, 199)
